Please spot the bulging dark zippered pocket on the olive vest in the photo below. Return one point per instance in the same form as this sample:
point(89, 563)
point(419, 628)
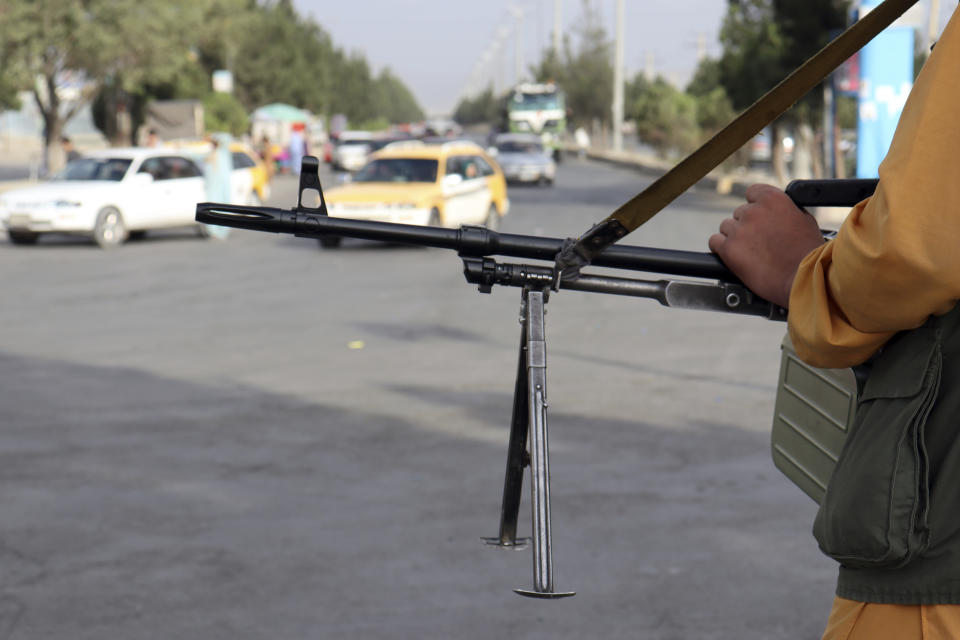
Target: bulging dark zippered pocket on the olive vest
point(874, 512)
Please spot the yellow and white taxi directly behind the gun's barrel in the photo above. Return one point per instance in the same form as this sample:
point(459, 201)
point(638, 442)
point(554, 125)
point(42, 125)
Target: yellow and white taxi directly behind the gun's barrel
point(440, 185)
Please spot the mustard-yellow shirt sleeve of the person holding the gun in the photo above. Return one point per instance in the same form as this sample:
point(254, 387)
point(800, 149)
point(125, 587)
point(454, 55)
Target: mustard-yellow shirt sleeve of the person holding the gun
point(896, 259)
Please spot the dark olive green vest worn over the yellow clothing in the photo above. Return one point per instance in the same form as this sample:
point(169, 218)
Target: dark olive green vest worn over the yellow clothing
point(891, 512)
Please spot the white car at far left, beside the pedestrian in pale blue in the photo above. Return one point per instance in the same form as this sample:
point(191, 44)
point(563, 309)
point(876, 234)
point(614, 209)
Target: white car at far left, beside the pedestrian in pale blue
point(108, 195)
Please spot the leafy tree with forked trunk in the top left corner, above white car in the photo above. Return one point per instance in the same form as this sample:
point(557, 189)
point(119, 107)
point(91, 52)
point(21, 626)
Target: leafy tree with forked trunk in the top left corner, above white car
point(88, 44)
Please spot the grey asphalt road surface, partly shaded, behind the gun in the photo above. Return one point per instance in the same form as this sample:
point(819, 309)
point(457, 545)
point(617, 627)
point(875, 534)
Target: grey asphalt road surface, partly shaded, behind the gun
point(259, 439)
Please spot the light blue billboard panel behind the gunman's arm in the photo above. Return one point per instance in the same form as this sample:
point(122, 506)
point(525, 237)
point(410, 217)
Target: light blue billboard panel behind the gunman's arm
point(886, 76)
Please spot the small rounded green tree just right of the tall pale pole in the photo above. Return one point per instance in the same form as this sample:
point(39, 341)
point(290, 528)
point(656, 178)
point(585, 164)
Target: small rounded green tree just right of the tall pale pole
point(666, 117)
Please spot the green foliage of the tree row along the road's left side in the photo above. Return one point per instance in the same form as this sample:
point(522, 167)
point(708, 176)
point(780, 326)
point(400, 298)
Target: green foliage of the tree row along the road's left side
point(131, 52)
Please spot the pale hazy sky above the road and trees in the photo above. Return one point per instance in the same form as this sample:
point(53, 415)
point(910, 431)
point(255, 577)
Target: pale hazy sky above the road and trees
point(436, 46)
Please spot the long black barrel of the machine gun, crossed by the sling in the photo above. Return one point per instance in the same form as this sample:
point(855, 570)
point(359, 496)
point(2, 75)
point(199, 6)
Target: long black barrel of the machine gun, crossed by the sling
point(467, 241)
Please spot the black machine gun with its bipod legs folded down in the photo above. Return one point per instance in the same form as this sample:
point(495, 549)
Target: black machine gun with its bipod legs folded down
point(716, 289)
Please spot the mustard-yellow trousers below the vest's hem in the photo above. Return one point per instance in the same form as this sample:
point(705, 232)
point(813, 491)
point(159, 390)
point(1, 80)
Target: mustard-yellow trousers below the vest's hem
point(851, 620)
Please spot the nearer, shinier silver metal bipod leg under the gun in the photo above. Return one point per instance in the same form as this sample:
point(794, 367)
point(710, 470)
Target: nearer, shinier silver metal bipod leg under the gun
point(536, 366)
